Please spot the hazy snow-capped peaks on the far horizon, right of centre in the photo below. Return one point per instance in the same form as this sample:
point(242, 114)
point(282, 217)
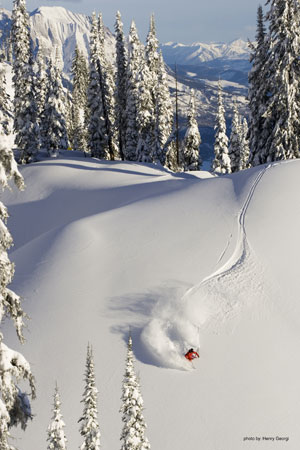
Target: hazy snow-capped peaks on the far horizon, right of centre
point(198, 52)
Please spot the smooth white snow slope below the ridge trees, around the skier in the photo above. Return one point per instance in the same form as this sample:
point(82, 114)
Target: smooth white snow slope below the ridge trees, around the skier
point(184, 261)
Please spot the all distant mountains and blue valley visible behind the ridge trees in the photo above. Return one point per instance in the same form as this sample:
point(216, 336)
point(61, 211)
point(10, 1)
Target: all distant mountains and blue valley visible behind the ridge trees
point(199, 65)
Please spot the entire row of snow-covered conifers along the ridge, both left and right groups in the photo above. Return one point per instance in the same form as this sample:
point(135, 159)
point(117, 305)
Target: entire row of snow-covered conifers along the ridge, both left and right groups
point(124, 111)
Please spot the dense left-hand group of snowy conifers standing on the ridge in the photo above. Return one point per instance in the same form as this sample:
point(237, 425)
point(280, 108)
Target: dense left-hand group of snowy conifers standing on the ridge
point(116, 111)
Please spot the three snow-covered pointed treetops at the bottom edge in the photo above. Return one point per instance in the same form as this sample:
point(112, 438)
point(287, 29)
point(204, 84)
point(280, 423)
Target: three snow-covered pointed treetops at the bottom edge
point(134, 426)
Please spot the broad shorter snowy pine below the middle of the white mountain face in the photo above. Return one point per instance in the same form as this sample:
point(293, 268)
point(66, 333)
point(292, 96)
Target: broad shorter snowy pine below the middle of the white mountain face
point(54, 122)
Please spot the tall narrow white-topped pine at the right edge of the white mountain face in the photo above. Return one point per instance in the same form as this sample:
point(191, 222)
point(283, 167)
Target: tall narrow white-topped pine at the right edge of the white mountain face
point(97, 139)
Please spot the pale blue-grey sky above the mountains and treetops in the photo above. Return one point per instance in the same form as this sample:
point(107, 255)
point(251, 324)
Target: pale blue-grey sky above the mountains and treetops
point(185, 21)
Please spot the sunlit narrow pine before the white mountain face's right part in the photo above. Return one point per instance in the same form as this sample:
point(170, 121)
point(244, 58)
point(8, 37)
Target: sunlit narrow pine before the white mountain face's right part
point(79, 101)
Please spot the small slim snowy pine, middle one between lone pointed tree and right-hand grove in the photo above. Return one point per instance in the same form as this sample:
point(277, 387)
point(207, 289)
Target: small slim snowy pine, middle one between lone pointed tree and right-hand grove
point(235, 140)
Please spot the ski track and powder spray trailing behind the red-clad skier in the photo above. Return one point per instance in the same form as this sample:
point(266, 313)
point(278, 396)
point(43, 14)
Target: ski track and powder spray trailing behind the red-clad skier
point(176, 325)
